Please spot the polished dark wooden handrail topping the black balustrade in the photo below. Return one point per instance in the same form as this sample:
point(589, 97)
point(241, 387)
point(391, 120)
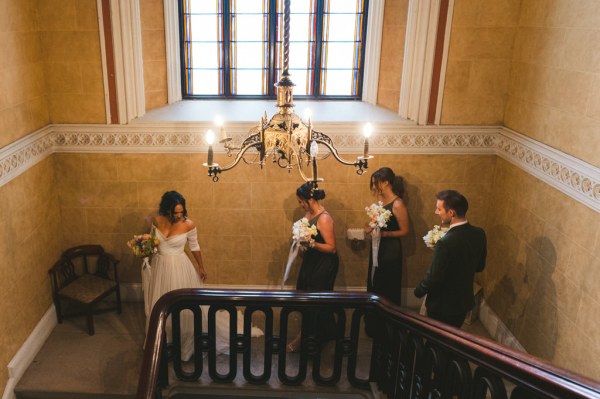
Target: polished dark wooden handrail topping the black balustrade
point(520, 368)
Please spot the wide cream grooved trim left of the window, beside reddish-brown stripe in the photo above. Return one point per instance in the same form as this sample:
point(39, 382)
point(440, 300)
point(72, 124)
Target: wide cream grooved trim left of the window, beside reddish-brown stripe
point(127, 40)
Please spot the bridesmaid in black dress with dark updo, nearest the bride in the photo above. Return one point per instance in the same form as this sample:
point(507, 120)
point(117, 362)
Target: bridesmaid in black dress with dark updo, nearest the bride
point(319, 265)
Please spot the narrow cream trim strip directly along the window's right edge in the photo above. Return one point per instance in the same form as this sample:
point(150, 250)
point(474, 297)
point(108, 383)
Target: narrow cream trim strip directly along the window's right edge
point(373, 51)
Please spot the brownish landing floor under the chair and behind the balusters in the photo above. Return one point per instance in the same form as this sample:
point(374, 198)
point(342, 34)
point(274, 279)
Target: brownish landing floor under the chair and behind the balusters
point(72, 364)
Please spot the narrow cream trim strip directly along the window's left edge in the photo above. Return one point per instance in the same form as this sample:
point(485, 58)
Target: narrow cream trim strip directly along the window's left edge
point(172, 51)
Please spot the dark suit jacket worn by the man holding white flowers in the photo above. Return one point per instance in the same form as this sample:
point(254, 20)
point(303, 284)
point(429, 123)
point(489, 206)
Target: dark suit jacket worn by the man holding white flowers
point(449, 281)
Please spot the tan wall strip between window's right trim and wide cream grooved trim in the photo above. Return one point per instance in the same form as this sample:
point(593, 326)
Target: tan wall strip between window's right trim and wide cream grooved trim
point(392, 54)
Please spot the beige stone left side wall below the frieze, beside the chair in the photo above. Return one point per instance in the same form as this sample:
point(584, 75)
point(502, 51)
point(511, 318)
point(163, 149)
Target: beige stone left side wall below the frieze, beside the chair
point(30, 242)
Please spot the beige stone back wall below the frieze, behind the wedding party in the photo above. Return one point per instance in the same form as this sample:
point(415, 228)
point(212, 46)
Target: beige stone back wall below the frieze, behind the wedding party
point(245, 219)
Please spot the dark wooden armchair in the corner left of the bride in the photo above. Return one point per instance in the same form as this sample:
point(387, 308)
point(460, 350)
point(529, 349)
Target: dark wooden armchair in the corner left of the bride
point(81, 279)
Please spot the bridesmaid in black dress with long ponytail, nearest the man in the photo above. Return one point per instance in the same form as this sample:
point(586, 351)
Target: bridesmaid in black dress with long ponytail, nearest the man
point(387, 277)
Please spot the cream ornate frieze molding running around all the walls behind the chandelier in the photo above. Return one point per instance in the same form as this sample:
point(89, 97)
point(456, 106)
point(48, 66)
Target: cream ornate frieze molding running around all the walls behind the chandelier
point(576, 178)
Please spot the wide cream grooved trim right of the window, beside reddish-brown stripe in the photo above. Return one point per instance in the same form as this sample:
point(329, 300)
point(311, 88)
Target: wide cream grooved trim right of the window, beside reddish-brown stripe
point(417, 66)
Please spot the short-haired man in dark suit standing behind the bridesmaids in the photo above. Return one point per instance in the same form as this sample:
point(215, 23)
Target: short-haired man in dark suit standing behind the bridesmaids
point(456, 258)
